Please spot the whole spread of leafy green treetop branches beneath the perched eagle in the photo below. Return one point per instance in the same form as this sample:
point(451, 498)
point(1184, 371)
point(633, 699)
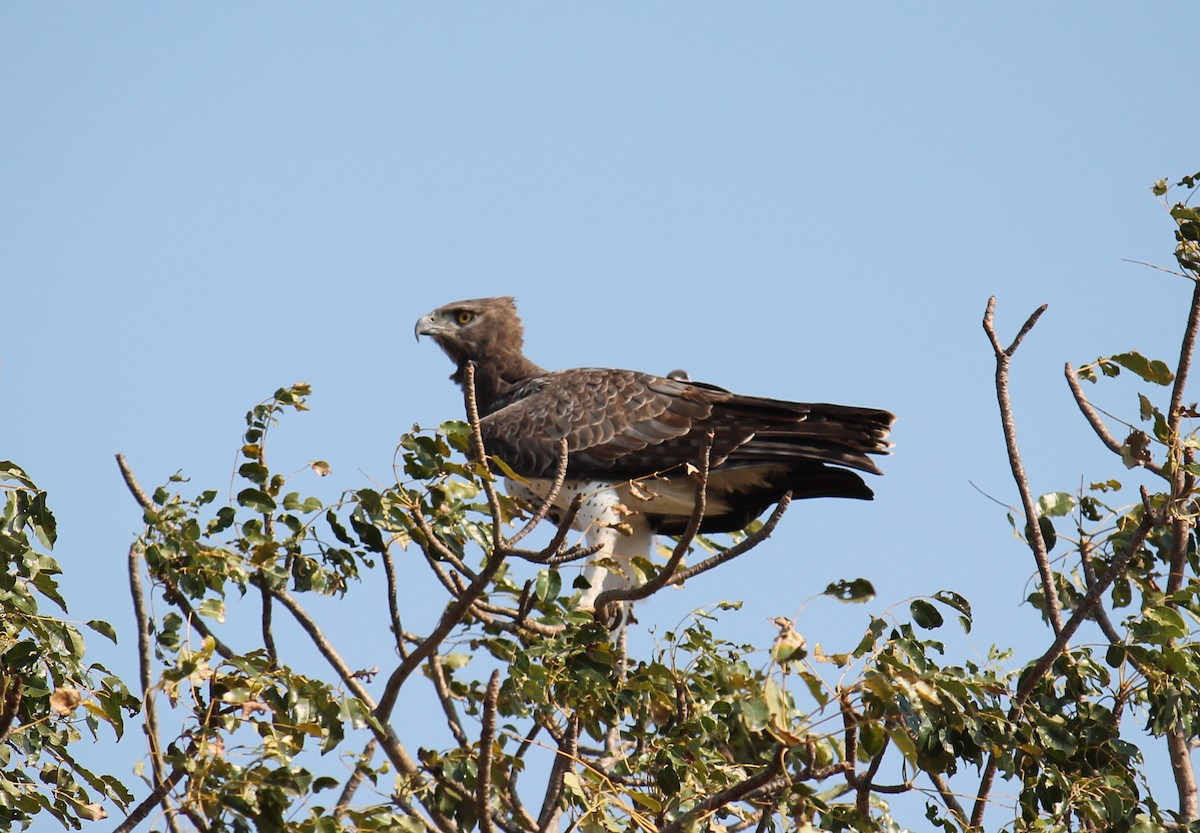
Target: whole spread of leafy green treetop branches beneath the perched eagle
point(548, 723)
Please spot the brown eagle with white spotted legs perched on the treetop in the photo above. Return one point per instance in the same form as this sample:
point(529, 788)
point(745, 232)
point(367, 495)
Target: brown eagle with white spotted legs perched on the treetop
point(634, 441)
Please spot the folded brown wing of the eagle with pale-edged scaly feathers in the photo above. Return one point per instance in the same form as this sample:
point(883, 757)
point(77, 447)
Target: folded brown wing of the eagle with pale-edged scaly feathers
point(625, 424)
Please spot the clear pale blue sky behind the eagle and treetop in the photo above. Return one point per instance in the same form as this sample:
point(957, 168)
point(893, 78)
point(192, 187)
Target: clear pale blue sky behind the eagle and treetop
point(814, 202)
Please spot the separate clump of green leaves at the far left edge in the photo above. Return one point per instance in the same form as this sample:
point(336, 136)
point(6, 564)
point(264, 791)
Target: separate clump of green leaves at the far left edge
point(46, 688)
